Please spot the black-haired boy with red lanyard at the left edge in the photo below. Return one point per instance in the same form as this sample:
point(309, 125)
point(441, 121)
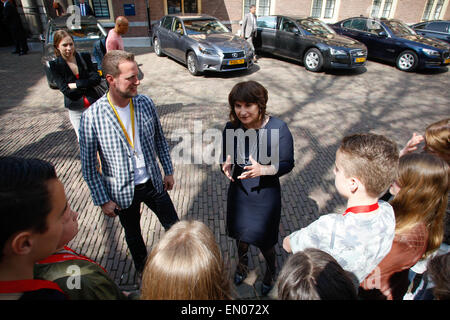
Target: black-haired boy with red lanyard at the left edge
point(33, 211)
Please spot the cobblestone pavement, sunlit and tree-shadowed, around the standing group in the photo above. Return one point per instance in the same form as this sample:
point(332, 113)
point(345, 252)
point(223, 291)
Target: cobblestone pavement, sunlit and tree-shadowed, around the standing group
point(319, 108)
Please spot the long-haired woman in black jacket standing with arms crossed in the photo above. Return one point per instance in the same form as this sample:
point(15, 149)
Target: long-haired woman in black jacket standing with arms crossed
point(74, 75)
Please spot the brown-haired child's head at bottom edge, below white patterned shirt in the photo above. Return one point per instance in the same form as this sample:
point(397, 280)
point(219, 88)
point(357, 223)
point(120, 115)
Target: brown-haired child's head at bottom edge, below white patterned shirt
point(313, 274)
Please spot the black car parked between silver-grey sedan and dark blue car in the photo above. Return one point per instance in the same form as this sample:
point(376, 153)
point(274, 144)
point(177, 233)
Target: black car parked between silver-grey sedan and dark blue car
point(310, 41)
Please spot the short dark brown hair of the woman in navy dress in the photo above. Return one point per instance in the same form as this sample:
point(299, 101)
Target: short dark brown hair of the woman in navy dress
point(248, 92)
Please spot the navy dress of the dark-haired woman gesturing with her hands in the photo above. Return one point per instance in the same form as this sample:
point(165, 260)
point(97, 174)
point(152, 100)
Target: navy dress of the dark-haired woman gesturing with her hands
point(254, 204)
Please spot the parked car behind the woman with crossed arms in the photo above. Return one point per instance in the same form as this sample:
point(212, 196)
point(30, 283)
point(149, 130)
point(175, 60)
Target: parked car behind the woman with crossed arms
point(84, 36)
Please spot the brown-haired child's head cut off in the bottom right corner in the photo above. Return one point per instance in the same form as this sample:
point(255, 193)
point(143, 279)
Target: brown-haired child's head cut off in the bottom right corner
point(439, 271)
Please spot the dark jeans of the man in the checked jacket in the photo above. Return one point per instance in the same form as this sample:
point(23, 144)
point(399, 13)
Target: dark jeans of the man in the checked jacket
point(130, 218)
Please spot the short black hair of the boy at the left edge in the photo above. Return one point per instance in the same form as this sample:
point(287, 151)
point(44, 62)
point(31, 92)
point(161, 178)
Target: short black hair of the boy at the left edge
point(24, 197)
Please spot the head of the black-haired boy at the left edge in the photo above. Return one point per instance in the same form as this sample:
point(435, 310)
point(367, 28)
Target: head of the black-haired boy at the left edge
point(33, 208)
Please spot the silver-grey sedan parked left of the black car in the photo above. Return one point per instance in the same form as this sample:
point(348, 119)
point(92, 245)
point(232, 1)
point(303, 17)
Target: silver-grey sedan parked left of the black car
point(202, 43)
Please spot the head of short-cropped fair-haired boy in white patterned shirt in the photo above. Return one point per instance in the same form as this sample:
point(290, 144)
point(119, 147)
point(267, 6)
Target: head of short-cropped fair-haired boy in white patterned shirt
point(368, 158)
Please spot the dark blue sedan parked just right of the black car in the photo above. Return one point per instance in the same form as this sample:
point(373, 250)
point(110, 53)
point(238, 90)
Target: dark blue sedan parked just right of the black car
point(392, 40)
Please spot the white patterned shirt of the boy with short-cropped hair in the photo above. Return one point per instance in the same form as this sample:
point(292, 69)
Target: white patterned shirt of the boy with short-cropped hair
point(357, 241)
